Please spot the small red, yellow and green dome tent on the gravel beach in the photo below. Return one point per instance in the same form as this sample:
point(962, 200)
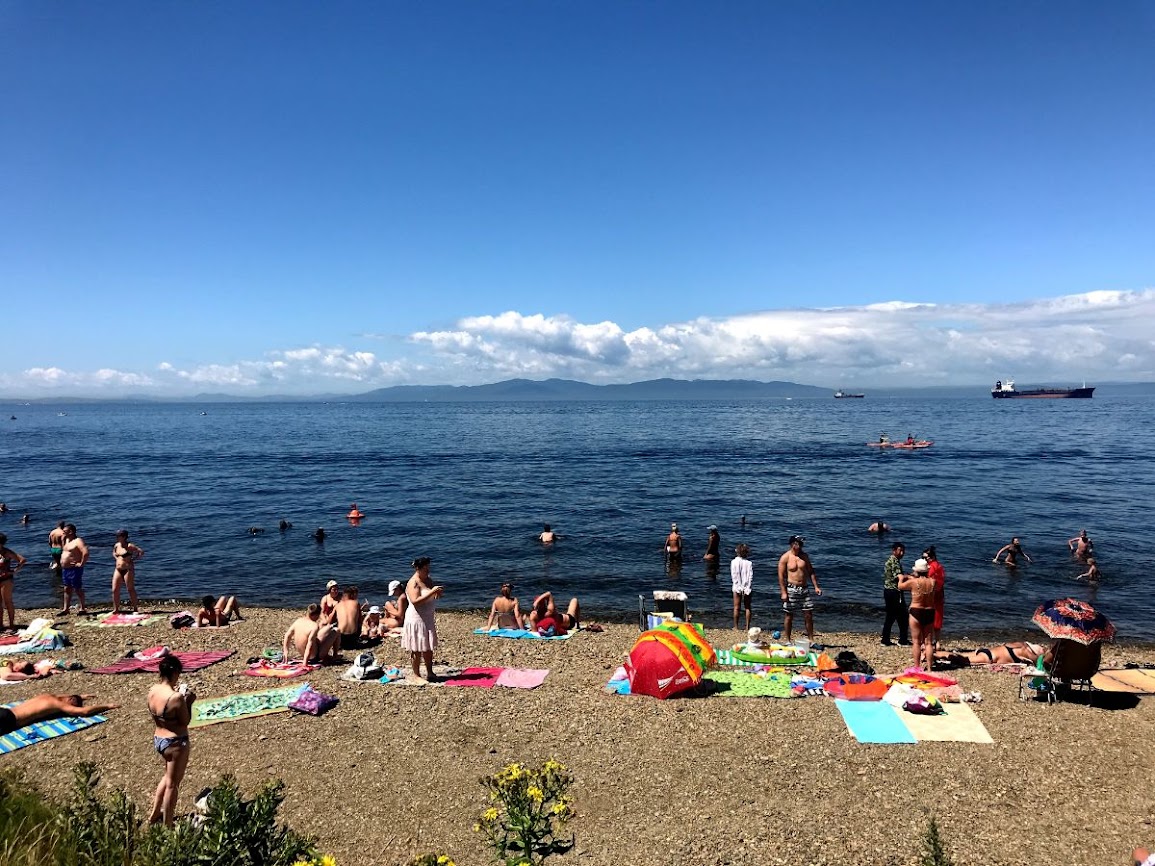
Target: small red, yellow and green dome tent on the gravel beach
point(669, 660)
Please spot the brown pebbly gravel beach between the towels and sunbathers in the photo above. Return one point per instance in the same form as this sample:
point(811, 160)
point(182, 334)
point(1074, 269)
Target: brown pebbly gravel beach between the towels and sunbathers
point(393, 772)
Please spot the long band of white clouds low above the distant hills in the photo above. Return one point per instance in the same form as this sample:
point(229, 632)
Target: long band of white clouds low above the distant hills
point(1094, 337)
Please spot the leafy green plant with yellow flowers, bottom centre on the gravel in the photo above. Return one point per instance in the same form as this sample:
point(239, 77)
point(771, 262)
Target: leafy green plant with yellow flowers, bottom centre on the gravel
point(528, 809)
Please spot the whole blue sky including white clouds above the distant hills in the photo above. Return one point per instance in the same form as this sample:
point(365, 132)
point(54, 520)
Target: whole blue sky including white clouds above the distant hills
point(303, 198)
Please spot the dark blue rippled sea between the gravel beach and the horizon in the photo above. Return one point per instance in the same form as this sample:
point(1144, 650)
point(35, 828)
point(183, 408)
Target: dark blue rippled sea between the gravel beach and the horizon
point(471, 486)
